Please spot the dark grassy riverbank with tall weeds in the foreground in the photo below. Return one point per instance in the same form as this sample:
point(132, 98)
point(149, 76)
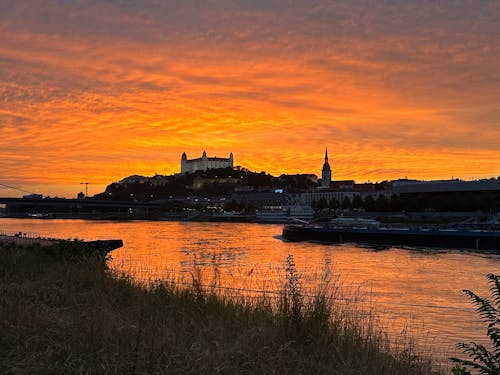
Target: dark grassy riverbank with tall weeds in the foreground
point(68, 314)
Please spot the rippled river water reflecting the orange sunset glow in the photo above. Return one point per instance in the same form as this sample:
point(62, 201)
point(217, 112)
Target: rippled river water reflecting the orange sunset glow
point(415, 287)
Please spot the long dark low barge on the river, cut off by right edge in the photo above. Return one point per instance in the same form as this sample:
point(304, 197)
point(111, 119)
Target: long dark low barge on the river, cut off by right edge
point(371, 233)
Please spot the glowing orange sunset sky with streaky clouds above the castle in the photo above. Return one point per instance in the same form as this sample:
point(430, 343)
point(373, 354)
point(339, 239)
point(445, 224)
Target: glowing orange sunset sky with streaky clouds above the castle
point(99, 90)
